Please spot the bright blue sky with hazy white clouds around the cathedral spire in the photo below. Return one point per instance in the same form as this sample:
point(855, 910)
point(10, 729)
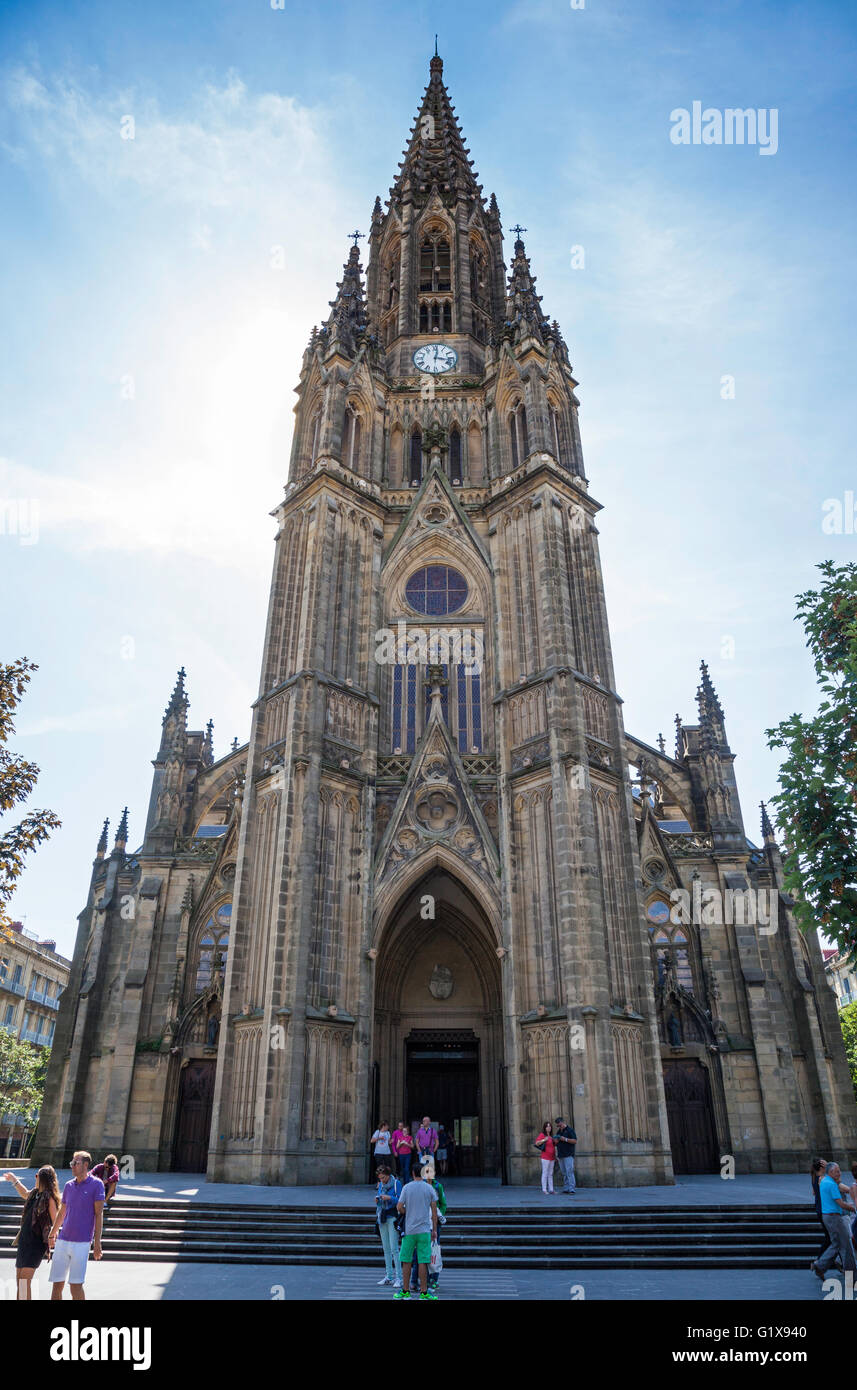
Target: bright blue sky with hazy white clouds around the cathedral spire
point(151, 350)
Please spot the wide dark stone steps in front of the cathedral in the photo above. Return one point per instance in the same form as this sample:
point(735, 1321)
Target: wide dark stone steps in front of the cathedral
point(476, 1238)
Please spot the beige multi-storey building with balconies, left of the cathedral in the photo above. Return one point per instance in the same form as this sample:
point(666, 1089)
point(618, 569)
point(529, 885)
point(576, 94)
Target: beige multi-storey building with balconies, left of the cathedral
point(33, 979)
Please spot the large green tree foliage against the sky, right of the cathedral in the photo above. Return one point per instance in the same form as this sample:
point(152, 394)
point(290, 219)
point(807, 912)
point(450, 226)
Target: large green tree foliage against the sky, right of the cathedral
point(817, 803)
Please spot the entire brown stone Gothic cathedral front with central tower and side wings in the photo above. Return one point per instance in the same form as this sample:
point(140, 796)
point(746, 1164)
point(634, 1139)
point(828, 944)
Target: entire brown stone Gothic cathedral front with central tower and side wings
point(442, 878)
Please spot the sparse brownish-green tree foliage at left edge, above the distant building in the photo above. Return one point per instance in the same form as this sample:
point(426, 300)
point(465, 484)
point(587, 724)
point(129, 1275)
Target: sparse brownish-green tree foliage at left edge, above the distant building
point(17, 780)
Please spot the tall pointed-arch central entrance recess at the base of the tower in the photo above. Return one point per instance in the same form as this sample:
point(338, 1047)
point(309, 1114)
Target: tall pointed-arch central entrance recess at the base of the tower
point(438, 1043)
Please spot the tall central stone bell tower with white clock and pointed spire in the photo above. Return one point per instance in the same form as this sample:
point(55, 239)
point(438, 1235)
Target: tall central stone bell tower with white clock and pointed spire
point(435, 903)
